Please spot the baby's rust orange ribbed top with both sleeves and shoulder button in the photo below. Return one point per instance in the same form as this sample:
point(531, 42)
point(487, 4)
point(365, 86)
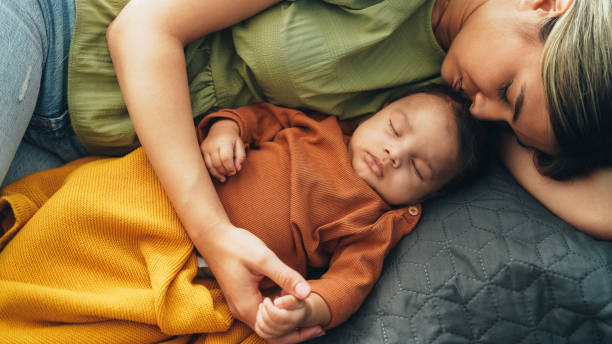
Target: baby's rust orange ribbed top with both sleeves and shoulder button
point(298, 192)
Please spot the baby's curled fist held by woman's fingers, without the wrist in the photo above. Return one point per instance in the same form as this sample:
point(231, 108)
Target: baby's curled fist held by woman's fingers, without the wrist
point(284, 315)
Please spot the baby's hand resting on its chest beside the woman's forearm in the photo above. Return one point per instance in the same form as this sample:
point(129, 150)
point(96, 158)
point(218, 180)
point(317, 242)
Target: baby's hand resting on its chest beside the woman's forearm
point(223, 150)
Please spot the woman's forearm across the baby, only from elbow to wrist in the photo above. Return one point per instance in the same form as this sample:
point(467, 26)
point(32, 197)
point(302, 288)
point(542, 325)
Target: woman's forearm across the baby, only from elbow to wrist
point(154, 85)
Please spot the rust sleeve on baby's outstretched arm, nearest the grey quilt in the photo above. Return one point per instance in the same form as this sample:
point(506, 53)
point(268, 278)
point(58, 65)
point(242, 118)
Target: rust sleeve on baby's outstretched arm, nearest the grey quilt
point(357, 262)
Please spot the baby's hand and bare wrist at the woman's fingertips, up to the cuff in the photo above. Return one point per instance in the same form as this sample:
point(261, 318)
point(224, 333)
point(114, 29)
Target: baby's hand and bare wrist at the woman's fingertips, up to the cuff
point(286, 313)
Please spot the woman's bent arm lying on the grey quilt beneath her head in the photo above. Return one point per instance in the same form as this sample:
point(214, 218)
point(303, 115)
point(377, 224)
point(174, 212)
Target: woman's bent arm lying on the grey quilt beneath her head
point(585, 203)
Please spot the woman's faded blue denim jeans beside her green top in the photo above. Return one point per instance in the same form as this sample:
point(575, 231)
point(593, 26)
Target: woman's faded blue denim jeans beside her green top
point(35, 130)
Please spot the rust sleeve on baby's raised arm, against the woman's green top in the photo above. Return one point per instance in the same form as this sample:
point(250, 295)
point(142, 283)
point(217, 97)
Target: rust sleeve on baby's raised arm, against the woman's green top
point(258, 123)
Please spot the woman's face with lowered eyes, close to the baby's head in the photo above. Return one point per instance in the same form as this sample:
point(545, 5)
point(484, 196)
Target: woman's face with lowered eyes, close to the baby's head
point(495, 60)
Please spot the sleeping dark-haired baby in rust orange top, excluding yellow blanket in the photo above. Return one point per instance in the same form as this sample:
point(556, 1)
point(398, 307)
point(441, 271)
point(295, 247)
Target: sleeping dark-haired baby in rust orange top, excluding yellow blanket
point(343, 191)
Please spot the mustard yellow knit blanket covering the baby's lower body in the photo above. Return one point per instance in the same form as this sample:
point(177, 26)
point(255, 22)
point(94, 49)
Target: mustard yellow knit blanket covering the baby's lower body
point(92, 252)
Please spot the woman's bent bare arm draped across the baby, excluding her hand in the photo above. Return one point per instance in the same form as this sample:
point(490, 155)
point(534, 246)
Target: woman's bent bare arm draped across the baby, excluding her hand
point(147, 42)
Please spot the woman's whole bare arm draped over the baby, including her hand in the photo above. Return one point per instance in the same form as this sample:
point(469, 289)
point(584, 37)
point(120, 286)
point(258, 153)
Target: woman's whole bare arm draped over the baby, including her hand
point(146, 42)
